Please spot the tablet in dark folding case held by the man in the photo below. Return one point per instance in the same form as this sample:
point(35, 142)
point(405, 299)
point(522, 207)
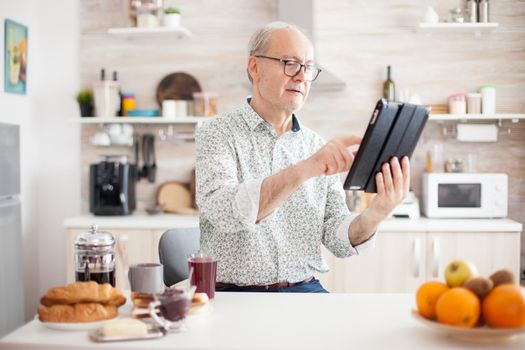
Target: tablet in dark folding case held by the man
point(394, 130)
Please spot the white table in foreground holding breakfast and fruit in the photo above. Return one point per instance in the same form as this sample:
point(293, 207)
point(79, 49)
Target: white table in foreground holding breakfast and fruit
point(279, 321)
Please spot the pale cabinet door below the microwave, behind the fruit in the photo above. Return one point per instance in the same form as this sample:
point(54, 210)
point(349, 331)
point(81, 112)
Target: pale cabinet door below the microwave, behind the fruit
point(489, 251)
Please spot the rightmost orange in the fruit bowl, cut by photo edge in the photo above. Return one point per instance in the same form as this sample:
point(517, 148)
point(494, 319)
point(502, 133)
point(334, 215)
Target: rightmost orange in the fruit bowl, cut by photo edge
point(504, 307)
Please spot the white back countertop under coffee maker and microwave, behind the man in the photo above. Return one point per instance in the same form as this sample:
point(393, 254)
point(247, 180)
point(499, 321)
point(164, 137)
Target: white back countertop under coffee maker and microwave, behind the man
point(167, 221)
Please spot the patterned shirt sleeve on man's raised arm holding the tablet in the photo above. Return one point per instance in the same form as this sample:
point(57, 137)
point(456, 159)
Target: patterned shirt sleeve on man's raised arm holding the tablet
point(337, 222)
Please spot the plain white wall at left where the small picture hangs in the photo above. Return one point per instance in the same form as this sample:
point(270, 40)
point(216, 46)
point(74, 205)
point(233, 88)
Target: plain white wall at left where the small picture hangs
point(49, 144)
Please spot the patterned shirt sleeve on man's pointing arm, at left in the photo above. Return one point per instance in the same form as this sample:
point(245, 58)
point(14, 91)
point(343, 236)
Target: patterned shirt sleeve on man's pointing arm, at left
point(228, 204)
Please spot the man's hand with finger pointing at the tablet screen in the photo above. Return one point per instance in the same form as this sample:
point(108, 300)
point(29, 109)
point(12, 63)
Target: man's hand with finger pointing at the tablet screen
point(333, 158)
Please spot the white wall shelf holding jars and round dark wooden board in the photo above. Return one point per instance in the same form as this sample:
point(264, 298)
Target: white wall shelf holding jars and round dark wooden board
point(142, 120)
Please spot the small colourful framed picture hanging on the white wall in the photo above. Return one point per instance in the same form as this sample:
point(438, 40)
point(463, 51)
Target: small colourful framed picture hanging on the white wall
point(15, 57)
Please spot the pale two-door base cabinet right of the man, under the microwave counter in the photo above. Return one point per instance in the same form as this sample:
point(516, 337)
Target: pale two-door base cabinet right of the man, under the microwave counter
point(402, 261)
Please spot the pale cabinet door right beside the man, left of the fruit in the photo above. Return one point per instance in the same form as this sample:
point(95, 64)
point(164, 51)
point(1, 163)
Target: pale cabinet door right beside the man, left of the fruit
point(395, 265)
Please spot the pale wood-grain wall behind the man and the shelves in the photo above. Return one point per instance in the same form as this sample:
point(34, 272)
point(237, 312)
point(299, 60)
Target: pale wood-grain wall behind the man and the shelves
point(355, 39)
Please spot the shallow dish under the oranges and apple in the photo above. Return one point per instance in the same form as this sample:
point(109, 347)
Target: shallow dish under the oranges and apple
point(479, 334)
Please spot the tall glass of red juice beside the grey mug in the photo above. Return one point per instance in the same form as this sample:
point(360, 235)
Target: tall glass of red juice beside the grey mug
point(204, 273)
